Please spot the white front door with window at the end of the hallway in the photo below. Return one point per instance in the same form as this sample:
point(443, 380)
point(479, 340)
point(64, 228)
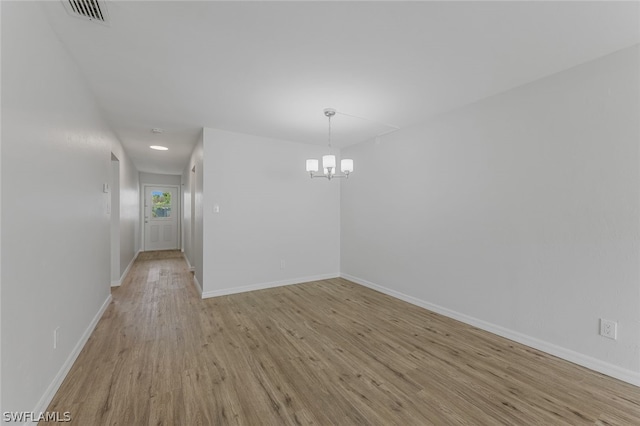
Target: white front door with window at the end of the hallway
point(161, 210)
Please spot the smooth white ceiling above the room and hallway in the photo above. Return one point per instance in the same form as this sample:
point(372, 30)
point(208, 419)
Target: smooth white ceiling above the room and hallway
point(270, 68)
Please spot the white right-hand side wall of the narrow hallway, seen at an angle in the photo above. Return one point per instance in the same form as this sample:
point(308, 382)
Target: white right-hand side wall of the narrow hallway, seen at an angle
point(192, 223)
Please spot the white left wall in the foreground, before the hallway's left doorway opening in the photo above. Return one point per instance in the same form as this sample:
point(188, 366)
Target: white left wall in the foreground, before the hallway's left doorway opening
point(56, 155)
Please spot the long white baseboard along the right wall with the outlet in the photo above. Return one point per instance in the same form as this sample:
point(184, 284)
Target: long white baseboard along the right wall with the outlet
point(600, 366)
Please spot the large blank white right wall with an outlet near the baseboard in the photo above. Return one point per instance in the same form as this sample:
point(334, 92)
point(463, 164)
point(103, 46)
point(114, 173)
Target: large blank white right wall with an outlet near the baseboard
point(518, 213)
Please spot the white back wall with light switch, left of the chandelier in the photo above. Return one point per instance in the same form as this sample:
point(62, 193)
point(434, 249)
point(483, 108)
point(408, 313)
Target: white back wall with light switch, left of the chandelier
point(269, 211)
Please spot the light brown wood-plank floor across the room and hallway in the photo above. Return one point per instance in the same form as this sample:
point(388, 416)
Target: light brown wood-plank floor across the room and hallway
point(325, 353)
